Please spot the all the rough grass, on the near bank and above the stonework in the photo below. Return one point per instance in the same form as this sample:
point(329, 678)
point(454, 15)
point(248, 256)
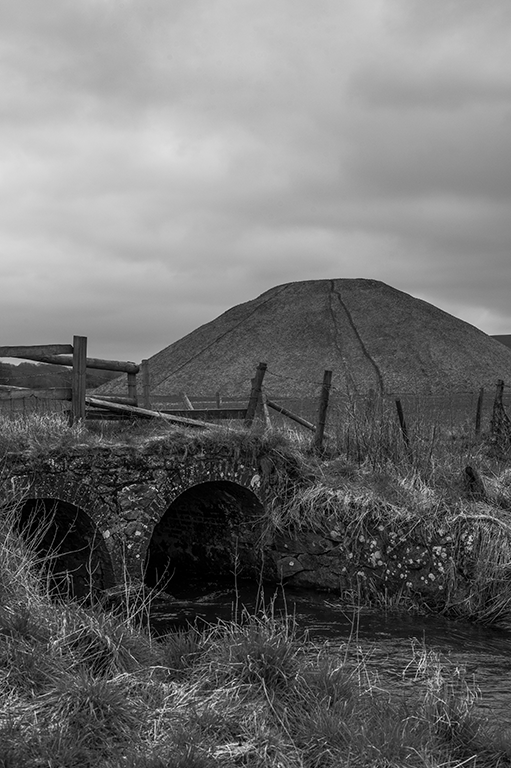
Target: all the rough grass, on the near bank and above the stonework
point(82, 686)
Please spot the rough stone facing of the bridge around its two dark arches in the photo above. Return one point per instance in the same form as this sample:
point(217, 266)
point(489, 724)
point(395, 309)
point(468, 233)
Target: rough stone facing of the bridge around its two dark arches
point(125, 495)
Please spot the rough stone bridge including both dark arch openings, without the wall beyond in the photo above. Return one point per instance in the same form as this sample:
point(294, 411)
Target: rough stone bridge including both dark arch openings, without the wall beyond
point(149, 513)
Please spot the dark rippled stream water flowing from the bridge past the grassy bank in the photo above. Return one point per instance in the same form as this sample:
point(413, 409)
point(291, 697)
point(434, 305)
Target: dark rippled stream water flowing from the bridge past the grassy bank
point(390, 645)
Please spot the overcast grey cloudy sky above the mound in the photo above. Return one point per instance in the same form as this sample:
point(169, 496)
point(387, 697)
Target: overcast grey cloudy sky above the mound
point(161, 162)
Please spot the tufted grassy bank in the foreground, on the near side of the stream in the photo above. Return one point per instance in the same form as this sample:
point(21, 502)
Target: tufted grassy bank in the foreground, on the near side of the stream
point(81, 687)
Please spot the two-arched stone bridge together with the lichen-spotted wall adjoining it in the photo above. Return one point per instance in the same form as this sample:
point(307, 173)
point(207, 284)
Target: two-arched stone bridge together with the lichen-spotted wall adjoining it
point(189, 511)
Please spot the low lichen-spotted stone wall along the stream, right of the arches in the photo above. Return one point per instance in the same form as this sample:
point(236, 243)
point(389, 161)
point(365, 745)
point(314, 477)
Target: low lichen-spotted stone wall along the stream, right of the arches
point(379, 562)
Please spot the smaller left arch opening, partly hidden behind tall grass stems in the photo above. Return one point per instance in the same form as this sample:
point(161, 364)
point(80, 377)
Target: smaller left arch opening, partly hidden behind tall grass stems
point(72, 549)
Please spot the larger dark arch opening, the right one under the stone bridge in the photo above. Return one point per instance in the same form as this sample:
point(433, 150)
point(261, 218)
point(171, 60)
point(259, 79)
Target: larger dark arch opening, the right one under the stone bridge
point(208, 534)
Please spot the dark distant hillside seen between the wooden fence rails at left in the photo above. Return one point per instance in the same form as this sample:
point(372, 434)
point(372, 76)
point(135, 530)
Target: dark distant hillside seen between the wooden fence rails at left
point(45, 376)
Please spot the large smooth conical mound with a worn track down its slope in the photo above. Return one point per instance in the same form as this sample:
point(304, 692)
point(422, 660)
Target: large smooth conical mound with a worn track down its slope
point(370, 335)
